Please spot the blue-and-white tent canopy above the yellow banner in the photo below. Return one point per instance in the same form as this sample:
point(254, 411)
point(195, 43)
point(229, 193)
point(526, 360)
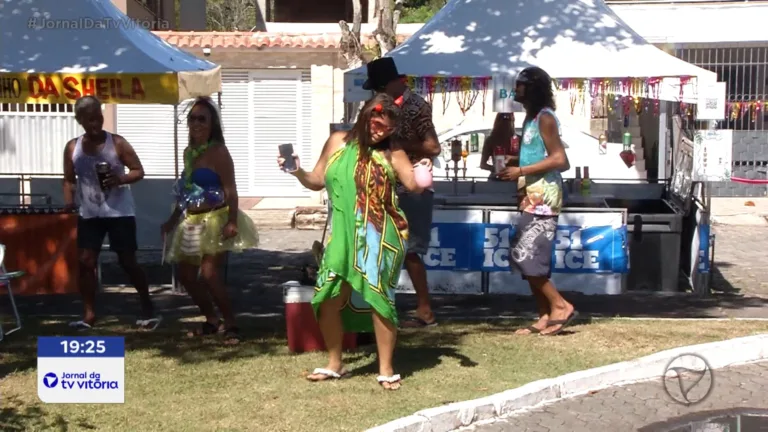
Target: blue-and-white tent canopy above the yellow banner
point(93, 37)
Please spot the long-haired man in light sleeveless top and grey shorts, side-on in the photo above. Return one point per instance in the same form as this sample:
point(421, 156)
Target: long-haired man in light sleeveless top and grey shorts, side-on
point(542, 159)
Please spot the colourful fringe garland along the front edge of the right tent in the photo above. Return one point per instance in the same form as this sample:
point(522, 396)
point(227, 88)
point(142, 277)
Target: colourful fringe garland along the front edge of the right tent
point(468, 89)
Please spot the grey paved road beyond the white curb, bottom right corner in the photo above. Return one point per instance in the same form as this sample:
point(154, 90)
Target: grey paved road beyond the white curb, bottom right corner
point(646, 407)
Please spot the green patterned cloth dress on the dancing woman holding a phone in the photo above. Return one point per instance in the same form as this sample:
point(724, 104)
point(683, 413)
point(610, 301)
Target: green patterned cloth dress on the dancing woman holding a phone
point(367, 241)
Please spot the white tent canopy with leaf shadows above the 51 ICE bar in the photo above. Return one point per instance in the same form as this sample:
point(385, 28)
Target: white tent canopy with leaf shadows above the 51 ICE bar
point(567, 38)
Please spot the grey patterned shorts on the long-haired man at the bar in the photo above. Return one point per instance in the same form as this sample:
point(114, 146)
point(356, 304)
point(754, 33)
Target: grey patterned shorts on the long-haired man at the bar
point(530, 251)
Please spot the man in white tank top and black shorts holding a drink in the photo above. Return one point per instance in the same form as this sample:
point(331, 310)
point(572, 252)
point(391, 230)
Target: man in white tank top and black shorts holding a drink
point(106, 208)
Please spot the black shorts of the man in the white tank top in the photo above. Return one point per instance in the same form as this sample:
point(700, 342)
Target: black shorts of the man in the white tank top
point(121, 231)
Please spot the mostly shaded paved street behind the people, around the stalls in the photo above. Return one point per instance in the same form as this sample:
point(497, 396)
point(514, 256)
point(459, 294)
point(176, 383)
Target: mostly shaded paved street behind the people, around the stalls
point(254, 279)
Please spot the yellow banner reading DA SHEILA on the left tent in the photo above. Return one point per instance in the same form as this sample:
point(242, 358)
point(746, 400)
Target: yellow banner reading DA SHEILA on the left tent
point(27, 88)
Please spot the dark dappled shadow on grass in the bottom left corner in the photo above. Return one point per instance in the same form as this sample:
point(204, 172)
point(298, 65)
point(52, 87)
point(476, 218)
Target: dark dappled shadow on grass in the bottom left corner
point(15, 416)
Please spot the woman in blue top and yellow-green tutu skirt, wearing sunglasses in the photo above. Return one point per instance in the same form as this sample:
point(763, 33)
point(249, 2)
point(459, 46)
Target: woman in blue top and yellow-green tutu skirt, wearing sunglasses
point(206, 222)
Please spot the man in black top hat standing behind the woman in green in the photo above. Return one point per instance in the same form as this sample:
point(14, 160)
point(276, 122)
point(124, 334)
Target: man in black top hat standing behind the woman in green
point(416, 134)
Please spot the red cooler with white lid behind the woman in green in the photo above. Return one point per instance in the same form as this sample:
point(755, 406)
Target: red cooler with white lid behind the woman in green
point(301, 326)
